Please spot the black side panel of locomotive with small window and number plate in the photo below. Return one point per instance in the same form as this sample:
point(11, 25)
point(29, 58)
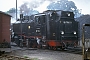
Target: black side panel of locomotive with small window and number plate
point(40, 24)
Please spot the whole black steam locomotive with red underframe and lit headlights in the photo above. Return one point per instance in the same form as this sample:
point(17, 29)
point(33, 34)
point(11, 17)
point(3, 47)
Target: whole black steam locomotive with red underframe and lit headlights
point(54, 28)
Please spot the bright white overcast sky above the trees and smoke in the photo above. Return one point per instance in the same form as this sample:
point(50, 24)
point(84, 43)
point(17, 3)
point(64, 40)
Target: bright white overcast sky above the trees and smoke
point(5, 5)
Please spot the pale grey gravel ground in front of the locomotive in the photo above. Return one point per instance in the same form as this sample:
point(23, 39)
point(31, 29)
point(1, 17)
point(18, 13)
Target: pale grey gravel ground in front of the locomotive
point(46, 54)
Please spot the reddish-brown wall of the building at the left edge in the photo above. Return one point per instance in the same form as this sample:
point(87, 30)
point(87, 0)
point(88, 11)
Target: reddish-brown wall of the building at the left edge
point(4, 27)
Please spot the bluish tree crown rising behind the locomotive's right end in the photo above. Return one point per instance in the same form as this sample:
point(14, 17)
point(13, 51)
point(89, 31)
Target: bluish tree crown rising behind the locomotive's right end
point(64, 5)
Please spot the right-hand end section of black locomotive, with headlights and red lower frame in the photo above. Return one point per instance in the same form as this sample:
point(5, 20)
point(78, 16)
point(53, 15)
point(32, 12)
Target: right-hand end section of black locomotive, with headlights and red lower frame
point(62, 29)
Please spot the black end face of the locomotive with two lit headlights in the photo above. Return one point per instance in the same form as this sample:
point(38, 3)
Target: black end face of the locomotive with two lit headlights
point(68, 29)
